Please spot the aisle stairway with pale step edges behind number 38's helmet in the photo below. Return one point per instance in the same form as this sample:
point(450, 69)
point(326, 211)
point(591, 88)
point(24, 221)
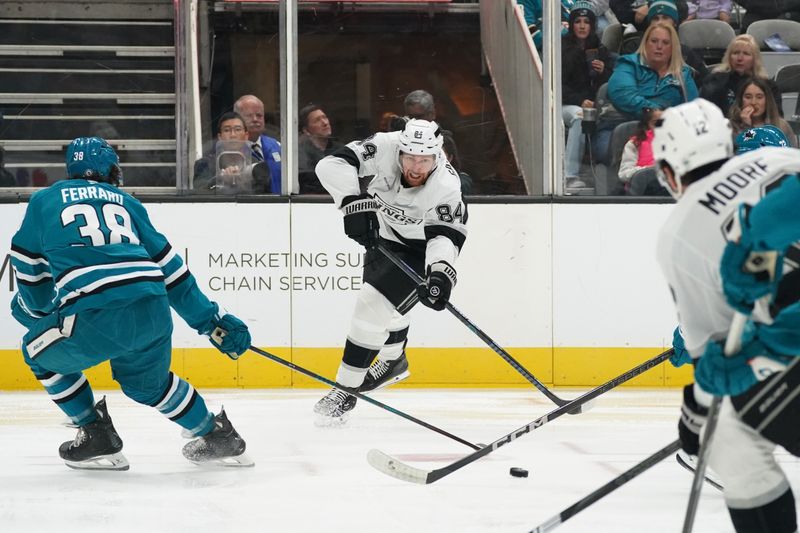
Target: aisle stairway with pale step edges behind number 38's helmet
point(61, 79)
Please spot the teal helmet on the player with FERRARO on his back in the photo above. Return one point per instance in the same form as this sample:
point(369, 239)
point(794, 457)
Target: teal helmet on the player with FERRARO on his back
point(93, 158)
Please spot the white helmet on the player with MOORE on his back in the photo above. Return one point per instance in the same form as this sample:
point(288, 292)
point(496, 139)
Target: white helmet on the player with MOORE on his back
point(689, 136)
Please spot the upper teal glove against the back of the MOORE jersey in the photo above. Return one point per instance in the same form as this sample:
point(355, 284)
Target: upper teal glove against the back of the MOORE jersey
point(748, 271)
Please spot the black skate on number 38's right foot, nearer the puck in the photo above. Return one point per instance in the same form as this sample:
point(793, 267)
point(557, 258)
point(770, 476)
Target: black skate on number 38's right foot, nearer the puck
point(222, 447)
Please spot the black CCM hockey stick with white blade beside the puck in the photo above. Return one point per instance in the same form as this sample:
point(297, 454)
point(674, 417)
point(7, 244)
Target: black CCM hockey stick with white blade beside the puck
point(396, 468)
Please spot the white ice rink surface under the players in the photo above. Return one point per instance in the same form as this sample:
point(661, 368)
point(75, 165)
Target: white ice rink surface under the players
point(311, 479)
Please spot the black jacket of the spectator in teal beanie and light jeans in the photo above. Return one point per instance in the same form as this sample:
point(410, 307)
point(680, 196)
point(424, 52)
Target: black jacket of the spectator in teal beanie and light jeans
point(578, 81)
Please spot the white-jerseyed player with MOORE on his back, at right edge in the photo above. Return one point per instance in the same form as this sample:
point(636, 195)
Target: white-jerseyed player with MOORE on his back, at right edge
point(692, 147)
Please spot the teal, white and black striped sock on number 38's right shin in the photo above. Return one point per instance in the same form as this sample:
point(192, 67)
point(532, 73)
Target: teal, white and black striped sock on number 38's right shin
point(182, 404)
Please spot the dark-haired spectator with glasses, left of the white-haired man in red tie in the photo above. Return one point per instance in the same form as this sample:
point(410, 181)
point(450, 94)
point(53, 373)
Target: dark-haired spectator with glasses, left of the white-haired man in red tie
point(230, 127)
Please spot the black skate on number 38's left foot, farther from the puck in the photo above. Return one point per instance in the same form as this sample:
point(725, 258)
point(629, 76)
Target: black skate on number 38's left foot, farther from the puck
point(97, 445)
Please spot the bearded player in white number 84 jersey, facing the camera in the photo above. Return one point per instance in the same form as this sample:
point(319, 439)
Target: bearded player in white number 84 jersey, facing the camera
point(397, 188)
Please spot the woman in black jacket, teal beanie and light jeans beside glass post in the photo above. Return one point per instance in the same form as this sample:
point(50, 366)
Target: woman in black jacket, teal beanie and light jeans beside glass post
point(585, 65)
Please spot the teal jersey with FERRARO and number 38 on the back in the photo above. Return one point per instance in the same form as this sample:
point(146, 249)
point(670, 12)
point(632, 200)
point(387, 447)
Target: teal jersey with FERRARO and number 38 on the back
point(89, 245)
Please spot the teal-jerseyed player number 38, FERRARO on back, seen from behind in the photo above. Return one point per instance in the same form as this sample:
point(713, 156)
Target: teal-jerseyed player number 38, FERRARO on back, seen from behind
point(96, 282)
